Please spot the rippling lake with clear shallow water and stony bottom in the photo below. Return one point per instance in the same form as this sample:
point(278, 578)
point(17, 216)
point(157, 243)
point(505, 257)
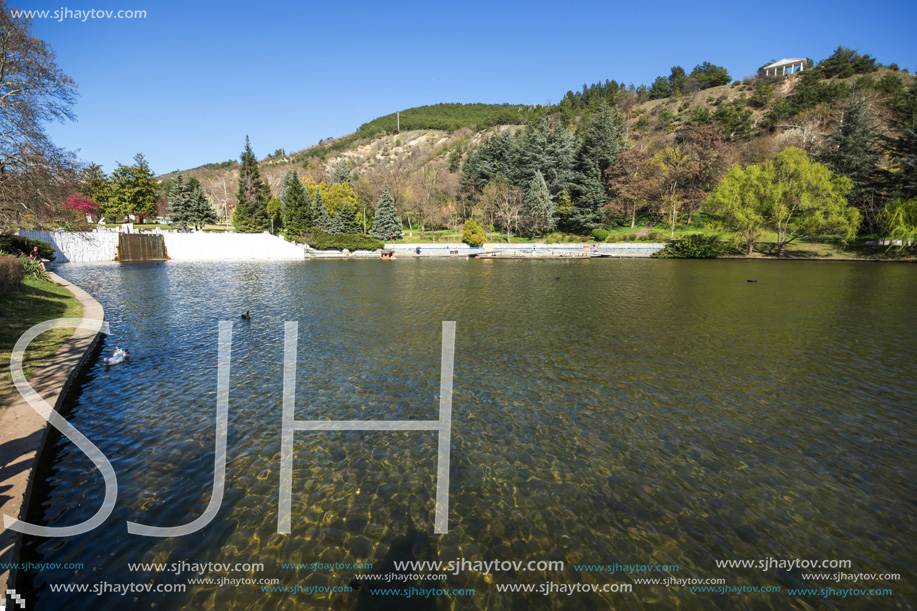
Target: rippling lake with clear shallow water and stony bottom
point(665, 414)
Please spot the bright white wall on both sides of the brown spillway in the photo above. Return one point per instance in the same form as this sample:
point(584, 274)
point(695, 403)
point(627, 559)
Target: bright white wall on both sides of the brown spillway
point(103, 246)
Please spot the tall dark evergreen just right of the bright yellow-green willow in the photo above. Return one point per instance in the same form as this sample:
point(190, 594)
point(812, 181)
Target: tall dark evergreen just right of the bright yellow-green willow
point(852, 150)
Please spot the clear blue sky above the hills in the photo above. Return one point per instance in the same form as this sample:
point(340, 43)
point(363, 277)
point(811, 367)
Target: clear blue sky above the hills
point(187, 83)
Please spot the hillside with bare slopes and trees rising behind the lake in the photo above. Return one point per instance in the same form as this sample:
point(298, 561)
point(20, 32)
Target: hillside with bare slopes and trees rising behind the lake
point(613, 146)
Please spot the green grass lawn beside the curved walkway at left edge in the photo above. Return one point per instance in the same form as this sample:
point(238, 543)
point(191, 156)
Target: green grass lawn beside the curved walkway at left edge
point(35, 302)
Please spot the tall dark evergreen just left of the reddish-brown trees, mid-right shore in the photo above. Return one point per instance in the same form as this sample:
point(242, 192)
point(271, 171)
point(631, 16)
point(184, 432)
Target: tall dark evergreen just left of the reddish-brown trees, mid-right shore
point(599, 150)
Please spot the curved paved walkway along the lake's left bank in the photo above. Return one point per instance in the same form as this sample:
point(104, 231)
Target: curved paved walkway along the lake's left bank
point(23, 431)
